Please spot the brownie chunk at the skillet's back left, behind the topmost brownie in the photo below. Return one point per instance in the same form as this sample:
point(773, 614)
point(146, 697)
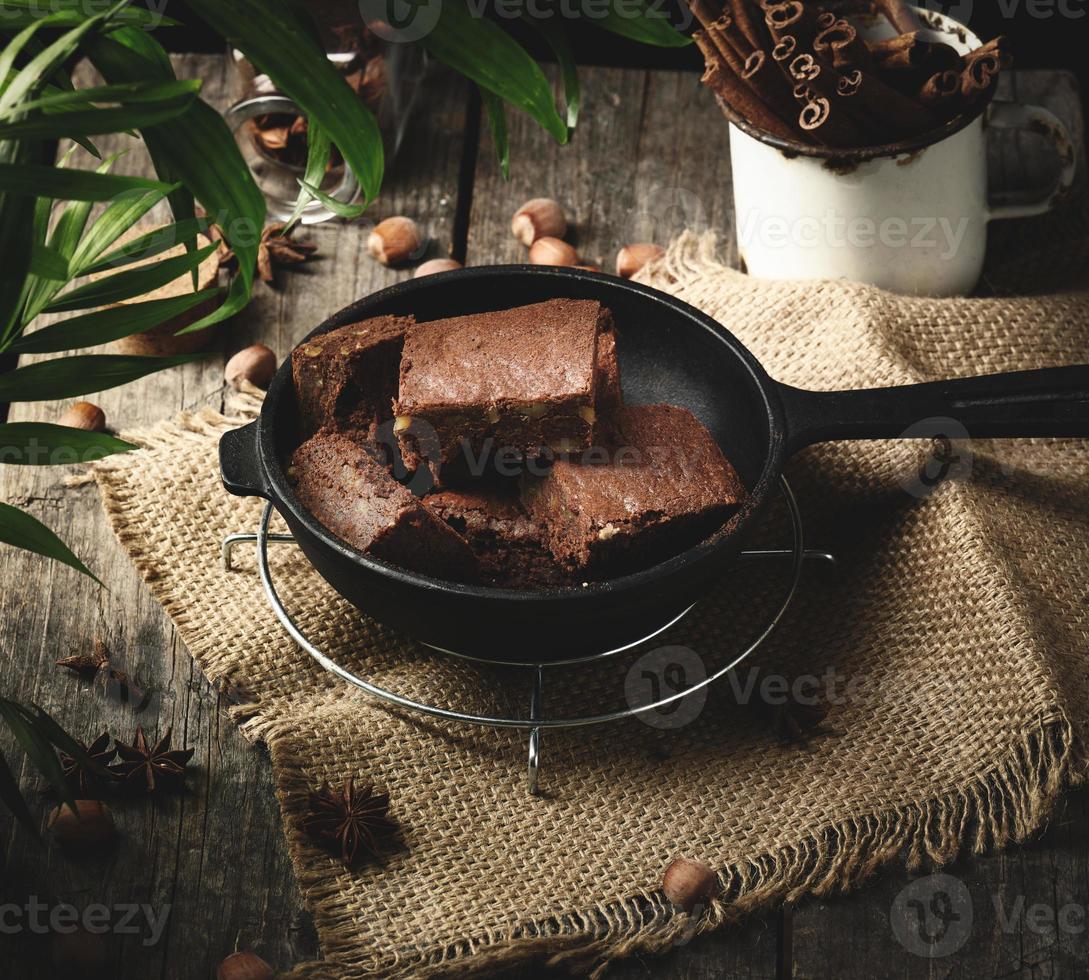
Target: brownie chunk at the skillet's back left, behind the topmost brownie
point(349, 377)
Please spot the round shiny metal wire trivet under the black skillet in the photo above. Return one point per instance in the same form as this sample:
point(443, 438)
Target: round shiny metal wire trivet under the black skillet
point(536, 721)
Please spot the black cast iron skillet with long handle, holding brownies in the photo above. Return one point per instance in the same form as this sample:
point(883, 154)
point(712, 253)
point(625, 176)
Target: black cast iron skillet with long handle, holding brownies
point(669, 352)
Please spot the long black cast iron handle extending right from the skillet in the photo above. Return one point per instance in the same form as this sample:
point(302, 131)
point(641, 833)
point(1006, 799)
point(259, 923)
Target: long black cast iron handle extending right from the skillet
point(1047, 402)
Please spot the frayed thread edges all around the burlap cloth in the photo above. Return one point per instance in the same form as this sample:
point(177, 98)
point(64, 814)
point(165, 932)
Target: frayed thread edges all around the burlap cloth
point(1006, 804)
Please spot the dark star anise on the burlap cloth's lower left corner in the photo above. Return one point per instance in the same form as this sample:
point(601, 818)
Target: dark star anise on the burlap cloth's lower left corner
point(349, 823)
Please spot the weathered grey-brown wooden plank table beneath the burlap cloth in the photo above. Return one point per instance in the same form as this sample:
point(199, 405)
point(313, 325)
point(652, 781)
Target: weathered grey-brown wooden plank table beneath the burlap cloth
point(651, 158)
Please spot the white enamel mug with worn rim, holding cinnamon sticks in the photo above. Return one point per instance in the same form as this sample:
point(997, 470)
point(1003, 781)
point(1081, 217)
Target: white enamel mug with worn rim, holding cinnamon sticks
point(911, 218)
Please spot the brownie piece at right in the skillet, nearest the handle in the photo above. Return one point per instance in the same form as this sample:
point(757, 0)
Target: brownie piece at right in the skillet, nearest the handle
point(660, 487)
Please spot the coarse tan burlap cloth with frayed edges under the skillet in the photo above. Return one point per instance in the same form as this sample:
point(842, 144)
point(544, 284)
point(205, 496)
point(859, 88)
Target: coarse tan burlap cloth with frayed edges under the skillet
point(956, 623)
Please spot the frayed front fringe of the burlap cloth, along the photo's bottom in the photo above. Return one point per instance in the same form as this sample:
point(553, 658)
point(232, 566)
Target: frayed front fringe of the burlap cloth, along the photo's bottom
point(1004, 806)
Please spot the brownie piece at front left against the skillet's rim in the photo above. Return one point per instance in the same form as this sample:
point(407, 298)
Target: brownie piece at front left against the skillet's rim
point(344, 482)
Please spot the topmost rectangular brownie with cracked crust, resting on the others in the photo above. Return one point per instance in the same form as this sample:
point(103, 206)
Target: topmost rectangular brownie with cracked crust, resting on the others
point(516, 381)
